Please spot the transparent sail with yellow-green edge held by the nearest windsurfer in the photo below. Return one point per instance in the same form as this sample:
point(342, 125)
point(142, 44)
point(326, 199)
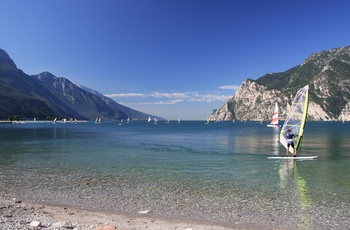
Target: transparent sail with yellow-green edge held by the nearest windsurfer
point(296, 118)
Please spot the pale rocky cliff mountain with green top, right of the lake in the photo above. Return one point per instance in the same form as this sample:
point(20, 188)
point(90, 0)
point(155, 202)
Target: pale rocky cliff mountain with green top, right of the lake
point(326, 72)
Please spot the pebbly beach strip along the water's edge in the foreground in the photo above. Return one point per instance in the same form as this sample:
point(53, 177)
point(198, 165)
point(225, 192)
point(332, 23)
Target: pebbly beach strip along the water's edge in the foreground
point(18, 214)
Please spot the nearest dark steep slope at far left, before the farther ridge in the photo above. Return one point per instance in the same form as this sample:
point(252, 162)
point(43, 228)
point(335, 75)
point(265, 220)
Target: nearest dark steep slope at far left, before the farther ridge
point(22, 96)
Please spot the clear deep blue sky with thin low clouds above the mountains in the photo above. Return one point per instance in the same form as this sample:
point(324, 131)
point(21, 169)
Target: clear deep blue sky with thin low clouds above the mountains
point(171, 58)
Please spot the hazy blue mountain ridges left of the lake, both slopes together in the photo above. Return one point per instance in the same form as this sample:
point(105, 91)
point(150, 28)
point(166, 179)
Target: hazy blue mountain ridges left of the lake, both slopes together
point(45, 96)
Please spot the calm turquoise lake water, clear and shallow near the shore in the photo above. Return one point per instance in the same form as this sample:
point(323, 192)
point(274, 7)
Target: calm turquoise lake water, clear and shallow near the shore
point(217, 172)
